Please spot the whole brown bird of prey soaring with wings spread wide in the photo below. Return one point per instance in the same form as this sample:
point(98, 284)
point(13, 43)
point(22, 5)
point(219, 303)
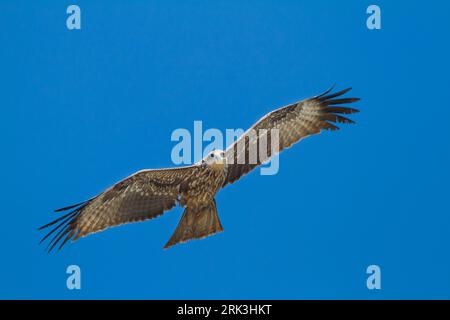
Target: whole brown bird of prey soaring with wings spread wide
point(147, 194)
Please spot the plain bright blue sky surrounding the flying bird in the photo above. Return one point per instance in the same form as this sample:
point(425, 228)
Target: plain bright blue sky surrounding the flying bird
point(82, 109)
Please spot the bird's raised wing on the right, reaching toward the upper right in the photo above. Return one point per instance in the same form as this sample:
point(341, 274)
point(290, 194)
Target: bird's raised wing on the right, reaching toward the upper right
point(291, 124)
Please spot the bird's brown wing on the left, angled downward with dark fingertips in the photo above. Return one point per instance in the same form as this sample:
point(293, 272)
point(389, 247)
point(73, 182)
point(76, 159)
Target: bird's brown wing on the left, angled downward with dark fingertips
point(143, 195)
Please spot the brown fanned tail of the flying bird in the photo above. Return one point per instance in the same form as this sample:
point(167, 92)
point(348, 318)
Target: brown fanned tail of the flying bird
point(196, 224)
